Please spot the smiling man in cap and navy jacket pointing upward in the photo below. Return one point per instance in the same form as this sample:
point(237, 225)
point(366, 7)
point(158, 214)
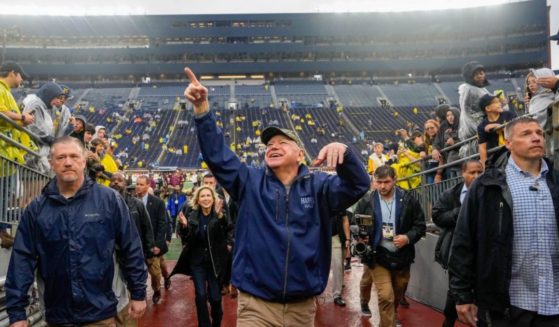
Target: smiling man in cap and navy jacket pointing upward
point(283, 234)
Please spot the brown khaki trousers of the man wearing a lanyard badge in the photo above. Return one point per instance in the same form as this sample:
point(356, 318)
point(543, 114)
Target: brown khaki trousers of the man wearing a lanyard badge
point(391, 286)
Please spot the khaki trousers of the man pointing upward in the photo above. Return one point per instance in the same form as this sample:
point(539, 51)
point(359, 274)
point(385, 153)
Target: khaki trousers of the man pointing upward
point(255, 312)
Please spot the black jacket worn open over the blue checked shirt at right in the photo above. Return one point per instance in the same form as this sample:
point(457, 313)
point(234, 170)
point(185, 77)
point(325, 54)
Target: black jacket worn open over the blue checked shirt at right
point(481, 261)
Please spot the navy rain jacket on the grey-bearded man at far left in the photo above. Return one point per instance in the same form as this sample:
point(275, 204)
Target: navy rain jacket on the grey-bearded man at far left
point(70, 244)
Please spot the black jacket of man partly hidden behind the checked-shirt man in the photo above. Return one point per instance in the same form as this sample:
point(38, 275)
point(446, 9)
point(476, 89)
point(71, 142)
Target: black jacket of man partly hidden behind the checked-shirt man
point(445, 213)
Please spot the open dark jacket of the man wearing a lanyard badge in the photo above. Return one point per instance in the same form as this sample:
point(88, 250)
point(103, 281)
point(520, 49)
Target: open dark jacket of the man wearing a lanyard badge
point(410, 221)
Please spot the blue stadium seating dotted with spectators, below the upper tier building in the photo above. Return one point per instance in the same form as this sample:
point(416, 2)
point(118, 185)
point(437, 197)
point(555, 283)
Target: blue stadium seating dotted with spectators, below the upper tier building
point(345, 110)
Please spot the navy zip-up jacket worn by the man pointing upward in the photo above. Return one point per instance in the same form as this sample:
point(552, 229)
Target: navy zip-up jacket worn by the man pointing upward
point(283, 239)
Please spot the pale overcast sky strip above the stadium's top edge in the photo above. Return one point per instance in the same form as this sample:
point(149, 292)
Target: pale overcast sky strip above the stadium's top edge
point(164, 7)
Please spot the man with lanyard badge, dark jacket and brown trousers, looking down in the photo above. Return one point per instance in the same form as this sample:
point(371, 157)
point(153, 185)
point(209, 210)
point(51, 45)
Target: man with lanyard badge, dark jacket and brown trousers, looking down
point(398, 223)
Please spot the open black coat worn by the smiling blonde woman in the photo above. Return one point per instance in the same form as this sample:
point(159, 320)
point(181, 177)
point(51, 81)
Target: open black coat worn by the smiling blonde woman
point(217, 234)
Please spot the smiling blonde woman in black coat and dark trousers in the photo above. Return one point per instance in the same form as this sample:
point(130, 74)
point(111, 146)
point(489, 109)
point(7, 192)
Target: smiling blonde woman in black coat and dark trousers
point(204, 255)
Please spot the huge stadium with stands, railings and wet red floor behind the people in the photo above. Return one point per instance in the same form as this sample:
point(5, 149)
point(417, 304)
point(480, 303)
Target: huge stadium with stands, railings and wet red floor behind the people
point(357, 78)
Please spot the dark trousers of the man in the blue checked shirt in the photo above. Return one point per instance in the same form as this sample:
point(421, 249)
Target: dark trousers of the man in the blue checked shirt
point(516, 318)
